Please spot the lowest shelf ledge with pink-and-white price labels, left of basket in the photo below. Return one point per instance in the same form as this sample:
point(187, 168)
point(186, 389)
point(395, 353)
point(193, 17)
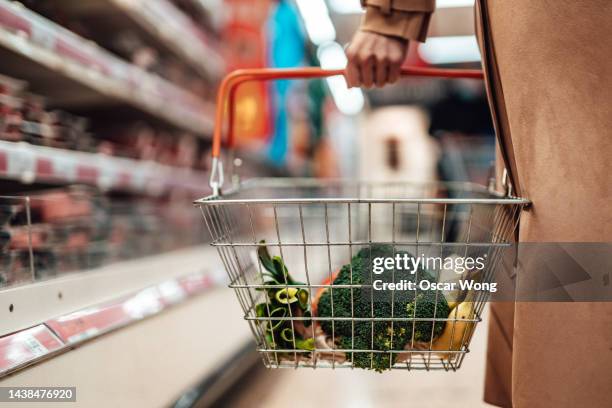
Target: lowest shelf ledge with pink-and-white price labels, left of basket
point(50, 336)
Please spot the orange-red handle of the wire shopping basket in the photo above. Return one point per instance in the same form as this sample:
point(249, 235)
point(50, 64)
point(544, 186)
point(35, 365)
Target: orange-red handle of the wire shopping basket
point(231, 82)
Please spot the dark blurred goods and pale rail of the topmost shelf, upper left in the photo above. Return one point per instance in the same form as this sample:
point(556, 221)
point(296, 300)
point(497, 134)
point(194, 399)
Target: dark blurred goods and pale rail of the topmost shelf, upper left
point(181, 53)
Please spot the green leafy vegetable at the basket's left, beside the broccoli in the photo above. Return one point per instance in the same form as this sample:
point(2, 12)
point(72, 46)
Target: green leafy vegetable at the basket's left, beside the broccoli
point(282, 332)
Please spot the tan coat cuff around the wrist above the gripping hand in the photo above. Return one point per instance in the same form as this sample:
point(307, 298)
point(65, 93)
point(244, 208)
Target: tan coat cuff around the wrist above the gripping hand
point(410, 25)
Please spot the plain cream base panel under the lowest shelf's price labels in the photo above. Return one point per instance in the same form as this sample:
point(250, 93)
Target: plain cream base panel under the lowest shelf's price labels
point(150, 363)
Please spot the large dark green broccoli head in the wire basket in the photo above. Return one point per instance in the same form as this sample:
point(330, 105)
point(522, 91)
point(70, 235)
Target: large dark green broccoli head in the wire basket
point(363, 303)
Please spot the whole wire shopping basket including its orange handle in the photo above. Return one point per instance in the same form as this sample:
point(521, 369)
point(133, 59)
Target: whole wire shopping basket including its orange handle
point(232, 219)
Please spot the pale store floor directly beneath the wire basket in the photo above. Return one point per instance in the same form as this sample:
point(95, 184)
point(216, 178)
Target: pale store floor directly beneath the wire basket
point(362, 389)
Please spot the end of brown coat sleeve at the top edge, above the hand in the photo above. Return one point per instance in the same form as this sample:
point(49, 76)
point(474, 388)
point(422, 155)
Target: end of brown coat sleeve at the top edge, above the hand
point(407, 19)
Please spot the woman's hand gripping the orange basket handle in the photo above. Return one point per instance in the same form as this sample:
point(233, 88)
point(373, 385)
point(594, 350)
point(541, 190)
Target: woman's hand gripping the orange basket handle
point(374, 59)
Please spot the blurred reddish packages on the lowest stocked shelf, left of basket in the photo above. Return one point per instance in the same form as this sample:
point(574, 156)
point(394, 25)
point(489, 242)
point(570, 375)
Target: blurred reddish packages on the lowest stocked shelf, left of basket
point(58, 231)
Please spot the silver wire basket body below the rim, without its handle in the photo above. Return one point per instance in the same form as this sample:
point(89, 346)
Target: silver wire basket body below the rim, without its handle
point(233, 242)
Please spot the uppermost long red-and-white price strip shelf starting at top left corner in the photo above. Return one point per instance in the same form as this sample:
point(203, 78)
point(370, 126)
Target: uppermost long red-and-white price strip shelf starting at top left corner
point(74, 72)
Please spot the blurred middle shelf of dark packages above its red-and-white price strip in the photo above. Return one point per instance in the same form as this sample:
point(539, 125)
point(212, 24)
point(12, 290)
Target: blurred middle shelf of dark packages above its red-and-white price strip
point(165, 159)
